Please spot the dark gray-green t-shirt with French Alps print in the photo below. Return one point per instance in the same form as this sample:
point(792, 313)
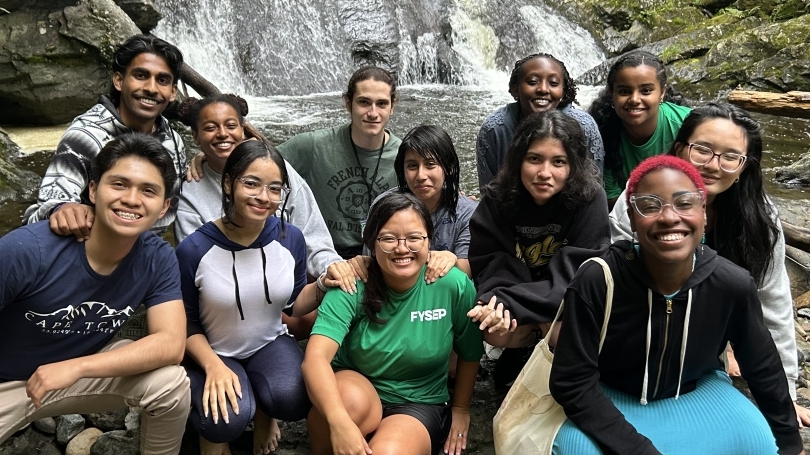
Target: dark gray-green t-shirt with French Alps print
point(340, 181)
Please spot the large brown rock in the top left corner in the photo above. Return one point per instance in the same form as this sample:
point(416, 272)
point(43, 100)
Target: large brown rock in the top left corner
point(54, 57)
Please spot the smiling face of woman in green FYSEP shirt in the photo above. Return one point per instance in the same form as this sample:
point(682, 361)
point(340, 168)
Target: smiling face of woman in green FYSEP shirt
point(401, 267)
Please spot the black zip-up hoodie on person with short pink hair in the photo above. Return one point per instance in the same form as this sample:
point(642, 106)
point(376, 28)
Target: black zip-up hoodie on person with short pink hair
point(724, 308)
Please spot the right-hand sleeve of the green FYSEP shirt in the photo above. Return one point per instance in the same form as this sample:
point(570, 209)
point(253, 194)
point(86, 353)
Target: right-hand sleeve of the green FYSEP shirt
point(467, 338)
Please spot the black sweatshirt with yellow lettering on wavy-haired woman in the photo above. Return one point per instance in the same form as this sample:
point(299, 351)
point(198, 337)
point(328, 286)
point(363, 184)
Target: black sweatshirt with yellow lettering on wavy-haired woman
point(527, 260)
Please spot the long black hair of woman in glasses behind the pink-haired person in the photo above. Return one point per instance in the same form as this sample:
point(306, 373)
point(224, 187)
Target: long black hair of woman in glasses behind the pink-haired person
point(745, 231)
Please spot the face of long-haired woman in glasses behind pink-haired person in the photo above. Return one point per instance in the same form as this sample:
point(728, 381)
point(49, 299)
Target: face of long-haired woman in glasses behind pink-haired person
point(721, 135)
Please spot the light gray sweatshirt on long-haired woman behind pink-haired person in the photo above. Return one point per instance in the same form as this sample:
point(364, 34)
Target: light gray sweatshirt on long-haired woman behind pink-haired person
point(774, 294)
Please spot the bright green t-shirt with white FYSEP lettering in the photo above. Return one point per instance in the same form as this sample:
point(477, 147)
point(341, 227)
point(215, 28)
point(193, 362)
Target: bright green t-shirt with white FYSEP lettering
point(406, 358)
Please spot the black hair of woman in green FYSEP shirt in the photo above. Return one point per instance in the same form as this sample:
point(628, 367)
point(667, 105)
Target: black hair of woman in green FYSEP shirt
point(375, 294)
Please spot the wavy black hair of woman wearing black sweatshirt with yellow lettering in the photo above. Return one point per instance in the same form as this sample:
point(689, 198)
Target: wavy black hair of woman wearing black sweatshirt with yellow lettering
point(583, 181)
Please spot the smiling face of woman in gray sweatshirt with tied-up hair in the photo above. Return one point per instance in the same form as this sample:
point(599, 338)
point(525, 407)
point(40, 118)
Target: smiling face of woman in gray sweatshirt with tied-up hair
point(218, 132)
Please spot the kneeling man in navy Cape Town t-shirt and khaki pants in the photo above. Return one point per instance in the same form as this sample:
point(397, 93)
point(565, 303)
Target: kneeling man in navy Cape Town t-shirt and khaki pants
point(62, 302)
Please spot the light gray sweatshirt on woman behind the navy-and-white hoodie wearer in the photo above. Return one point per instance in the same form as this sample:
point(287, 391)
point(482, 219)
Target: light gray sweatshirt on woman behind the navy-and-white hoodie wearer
point(201, 202)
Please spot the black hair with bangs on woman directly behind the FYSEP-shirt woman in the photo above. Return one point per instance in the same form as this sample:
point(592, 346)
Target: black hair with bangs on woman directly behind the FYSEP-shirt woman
point(431, 142)
